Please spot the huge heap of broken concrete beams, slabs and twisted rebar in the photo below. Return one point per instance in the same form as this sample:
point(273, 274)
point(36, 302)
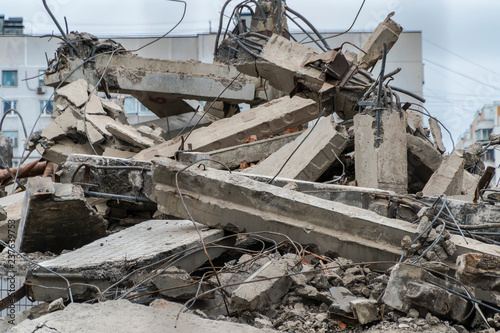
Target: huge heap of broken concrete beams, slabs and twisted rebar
point(326, 206)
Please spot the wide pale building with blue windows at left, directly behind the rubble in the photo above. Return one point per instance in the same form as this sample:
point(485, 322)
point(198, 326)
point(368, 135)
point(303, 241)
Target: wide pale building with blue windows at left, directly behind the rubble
point(23, 60)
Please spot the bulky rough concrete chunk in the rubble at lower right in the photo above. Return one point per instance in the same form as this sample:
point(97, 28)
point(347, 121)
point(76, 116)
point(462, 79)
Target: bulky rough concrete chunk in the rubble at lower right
point(409, 287)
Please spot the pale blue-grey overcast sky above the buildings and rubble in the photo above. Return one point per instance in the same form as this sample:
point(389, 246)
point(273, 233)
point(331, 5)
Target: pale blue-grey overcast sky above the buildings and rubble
point(460, 38)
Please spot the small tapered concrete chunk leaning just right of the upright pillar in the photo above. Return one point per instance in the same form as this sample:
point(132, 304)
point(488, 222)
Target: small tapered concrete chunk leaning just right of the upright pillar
point(448, 178)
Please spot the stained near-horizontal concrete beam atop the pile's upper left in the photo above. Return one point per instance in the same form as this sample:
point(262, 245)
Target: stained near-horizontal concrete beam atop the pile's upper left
point(160, 84)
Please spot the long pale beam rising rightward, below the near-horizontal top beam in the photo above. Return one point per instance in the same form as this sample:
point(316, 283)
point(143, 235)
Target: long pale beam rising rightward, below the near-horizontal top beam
point(263, 121)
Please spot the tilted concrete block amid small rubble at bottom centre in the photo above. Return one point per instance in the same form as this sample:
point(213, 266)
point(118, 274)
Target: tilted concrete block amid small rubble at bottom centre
point(259, 295)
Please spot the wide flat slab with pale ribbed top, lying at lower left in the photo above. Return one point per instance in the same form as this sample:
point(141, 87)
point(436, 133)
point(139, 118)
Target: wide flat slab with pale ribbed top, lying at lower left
point(108, 259)
